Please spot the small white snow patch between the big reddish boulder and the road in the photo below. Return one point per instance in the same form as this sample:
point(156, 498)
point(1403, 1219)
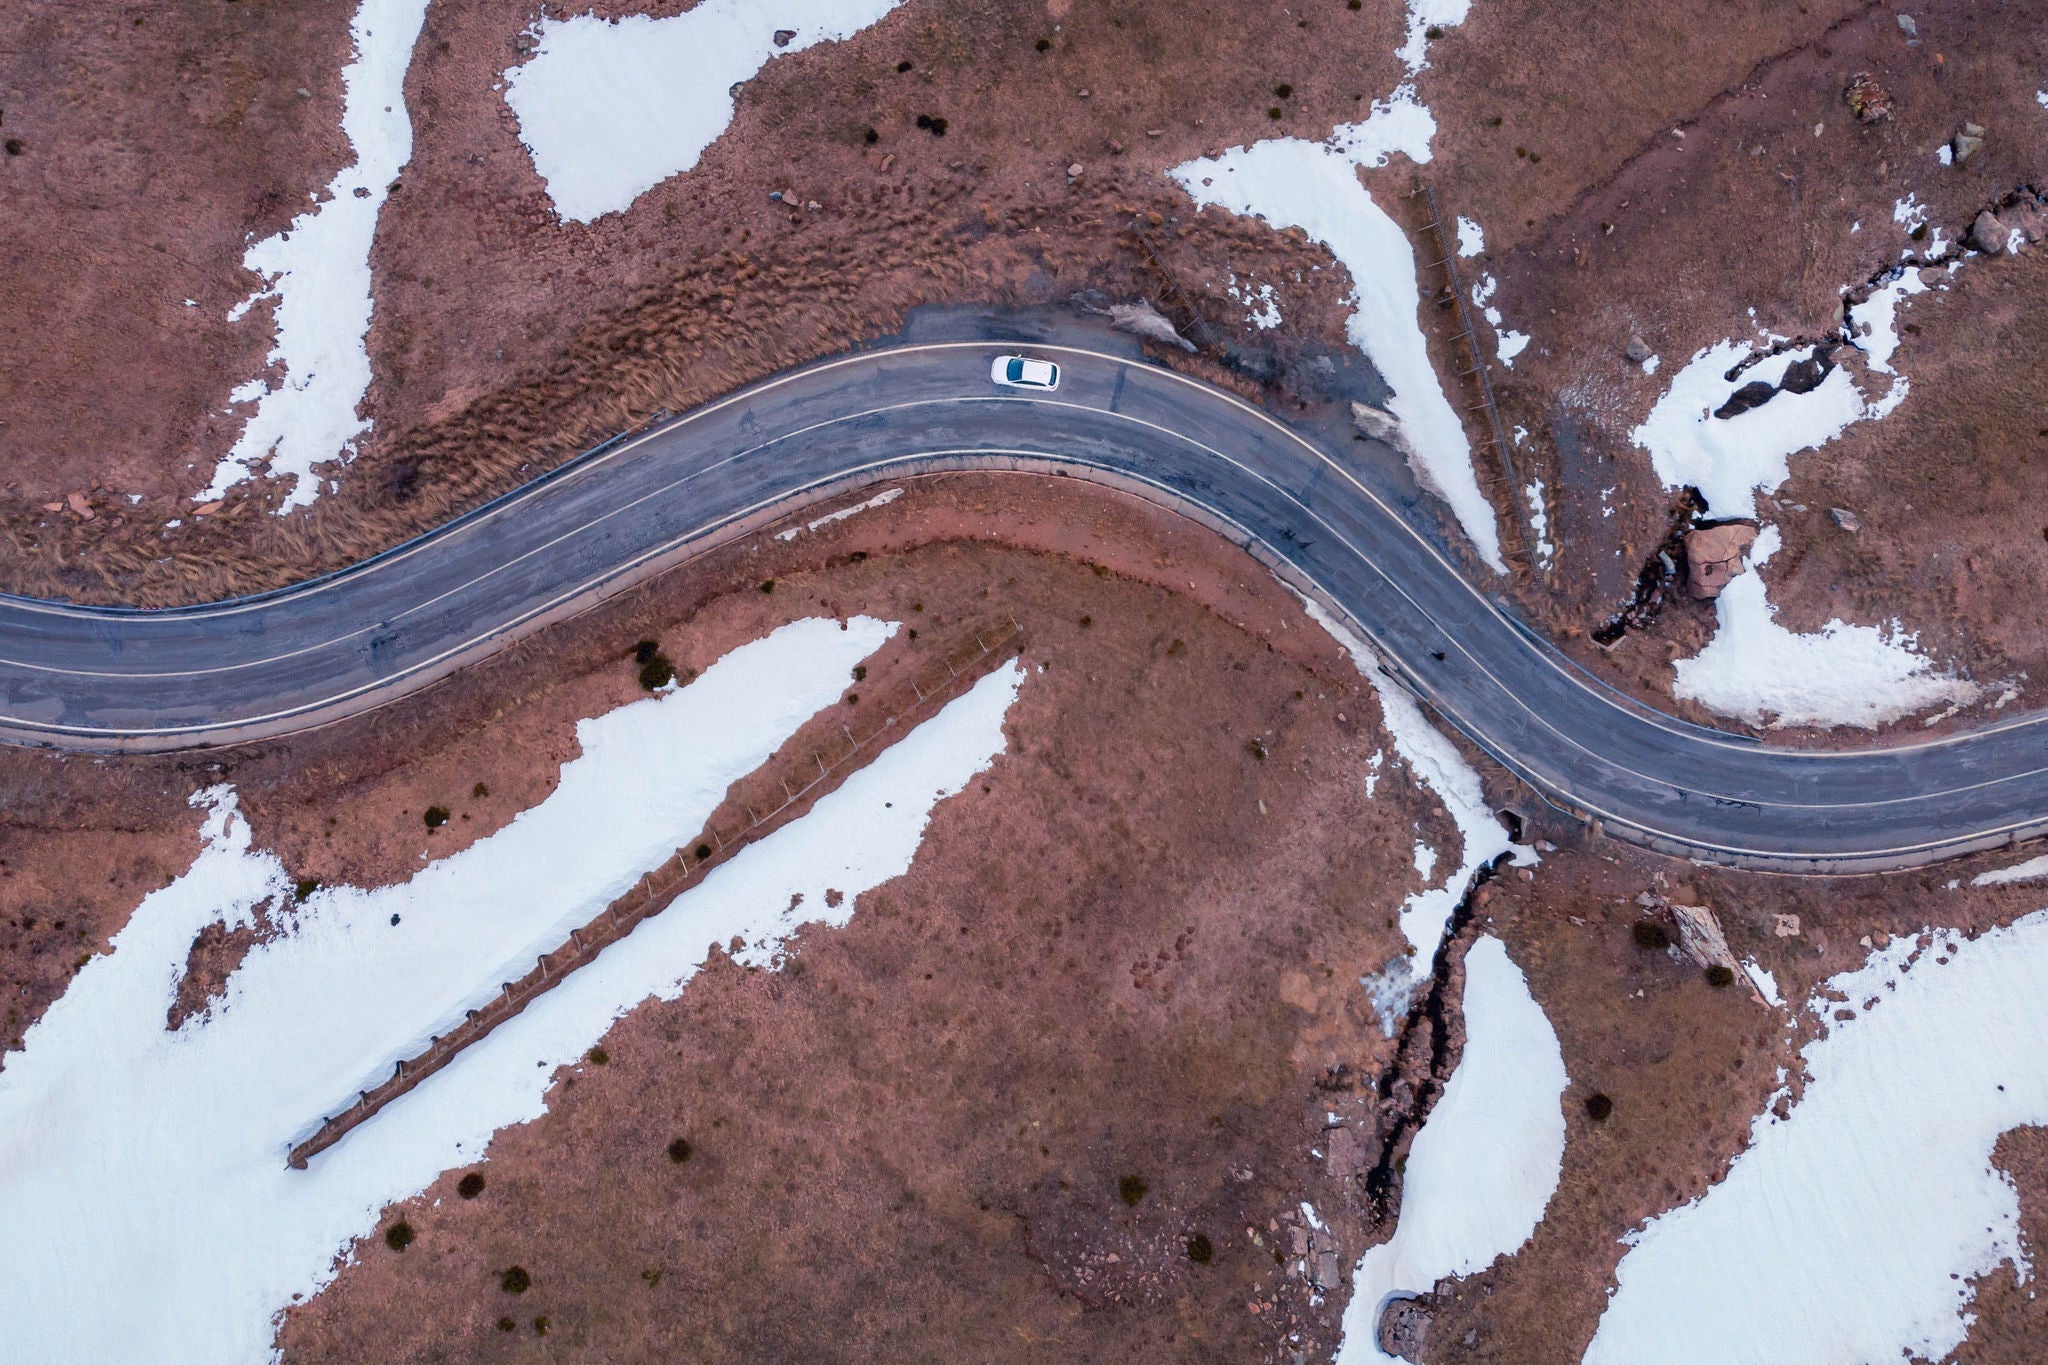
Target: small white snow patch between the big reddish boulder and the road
point(1842, 674)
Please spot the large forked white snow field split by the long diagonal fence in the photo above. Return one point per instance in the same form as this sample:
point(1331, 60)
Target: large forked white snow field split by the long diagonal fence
point(142, 1174)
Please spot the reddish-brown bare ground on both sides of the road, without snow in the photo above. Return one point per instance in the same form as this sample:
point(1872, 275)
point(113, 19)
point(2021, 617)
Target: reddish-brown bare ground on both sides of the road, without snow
point(1134, 949)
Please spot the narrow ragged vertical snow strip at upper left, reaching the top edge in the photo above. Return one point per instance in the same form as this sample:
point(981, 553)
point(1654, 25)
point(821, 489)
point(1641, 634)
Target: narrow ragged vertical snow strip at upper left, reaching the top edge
point(318, 271)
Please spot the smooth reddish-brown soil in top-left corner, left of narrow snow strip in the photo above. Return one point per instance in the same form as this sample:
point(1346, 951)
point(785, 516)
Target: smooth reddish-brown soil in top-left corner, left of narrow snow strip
point(144, 148)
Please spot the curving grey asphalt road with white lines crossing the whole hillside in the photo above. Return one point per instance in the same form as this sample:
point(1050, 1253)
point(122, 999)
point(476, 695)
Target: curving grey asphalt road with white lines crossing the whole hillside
point(128, 680)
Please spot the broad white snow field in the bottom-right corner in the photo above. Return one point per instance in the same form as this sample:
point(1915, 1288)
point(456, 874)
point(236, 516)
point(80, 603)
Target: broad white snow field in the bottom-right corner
point(1852, 1229)
